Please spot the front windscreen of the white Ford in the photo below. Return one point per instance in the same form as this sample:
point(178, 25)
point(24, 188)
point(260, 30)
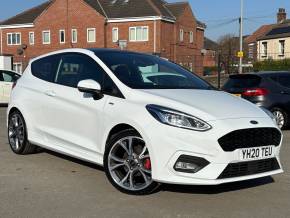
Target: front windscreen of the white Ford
point(140, 71)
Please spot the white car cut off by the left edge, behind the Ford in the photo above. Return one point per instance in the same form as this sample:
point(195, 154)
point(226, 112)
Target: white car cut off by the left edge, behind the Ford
point(7, 78)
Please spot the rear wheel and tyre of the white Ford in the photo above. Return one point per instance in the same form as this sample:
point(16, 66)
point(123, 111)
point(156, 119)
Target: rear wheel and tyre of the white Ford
point(17, 135)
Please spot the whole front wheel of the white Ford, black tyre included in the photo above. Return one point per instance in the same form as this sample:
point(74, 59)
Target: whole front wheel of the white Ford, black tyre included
point(127, 164)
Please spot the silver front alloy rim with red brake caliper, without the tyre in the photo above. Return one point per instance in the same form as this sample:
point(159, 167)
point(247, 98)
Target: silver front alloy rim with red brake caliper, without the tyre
point(129, 164)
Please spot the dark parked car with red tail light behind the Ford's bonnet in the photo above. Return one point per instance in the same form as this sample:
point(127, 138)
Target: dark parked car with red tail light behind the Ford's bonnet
point(270, 90)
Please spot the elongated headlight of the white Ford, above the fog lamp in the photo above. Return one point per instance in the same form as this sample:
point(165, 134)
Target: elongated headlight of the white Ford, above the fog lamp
point(176, 118)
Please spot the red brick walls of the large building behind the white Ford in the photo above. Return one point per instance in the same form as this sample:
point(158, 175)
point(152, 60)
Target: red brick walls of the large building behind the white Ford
point(78, 15)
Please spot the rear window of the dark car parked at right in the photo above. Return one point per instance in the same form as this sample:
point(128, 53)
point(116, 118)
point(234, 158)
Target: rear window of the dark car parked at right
point(248, 81)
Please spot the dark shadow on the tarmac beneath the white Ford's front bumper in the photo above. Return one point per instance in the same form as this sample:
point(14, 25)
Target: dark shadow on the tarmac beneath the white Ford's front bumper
point(218, 189)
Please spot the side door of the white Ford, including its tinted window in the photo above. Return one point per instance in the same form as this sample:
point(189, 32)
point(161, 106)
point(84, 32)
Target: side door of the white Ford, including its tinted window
point(74, 119)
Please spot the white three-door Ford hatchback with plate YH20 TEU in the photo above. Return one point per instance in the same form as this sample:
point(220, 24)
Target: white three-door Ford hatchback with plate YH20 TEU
point(95, 105)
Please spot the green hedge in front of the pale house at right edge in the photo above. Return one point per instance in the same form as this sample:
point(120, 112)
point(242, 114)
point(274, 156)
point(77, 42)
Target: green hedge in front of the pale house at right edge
point(272, 65)
